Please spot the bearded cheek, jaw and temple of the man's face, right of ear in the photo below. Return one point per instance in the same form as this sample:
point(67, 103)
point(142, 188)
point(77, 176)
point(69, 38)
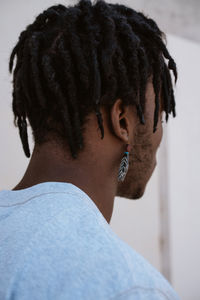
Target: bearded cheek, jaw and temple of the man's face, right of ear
point(143, 155)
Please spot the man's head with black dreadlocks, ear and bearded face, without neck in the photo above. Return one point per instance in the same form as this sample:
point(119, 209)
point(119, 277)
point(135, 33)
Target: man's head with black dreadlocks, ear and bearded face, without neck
point(102, 61)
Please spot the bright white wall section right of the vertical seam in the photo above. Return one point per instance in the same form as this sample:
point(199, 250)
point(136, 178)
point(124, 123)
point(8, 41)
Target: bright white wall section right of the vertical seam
point(184, 172)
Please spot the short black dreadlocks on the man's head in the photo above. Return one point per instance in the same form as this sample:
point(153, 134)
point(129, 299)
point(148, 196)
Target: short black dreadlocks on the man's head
point(72, 60)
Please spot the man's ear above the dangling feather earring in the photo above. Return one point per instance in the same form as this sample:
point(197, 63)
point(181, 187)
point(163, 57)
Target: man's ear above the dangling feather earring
point(123, 121)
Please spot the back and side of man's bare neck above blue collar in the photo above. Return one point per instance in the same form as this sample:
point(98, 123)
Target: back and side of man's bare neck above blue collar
point(90, 175)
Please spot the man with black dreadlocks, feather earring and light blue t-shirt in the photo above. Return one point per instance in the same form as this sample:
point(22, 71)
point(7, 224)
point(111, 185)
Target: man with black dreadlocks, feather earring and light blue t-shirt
point(92, 81)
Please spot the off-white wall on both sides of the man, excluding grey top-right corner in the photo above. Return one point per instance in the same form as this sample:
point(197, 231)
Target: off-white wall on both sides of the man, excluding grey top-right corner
point(164, 226)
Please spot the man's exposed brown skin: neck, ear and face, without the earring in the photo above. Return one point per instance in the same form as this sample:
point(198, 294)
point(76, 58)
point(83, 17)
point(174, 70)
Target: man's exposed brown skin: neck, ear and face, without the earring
point(95, 170)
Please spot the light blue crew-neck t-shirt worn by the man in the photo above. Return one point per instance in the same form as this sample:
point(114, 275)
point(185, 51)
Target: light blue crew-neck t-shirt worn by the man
point(55, 244)
